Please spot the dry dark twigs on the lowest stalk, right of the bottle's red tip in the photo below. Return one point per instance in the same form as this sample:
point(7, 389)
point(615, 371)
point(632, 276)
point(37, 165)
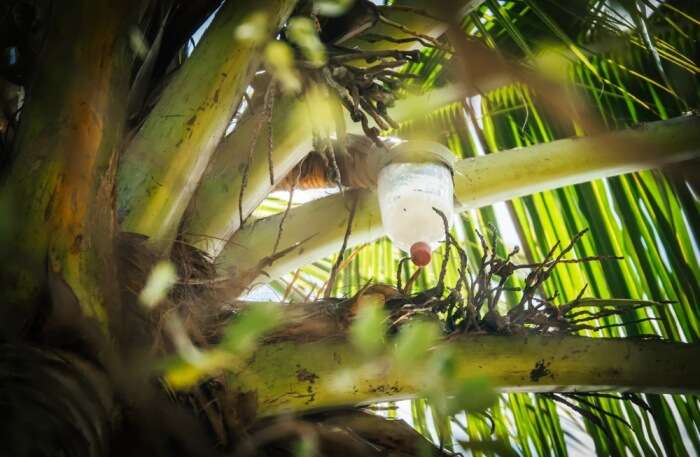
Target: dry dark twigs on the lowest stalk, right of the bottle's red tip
point(472, 304)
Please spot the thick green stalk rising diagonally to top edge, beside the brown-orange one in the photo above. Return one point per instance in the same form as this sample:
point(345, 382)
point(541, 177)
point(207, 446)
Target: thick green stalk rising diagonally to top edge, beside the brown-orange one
point(165, 161)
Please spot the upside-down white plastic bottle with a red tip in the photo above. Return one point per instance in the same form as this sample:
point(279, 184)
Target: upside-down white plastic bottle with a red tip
point(408, 192)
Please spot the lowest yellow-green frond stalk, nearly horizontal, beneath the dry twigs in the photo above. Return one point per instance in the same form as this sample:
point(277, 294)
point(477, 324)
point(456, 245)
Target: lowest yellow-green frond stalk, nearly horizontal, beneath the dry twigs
point(302, 376)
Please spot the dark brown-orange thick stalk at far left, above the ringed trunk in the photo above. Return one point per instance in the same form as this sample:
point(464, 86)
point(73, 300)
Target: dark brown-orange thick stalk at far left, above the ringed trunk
point(63, 174)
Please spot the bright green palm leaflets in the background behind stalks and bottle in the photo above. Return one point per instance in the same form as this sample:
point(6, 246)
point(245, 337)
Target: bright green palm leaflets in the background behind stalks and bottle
point(632, 66)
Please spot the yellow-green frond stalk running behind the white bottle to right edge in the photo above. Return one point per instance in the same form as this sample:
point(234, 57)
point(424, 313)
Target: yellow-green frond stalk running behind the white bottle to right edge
point(478, 182)
